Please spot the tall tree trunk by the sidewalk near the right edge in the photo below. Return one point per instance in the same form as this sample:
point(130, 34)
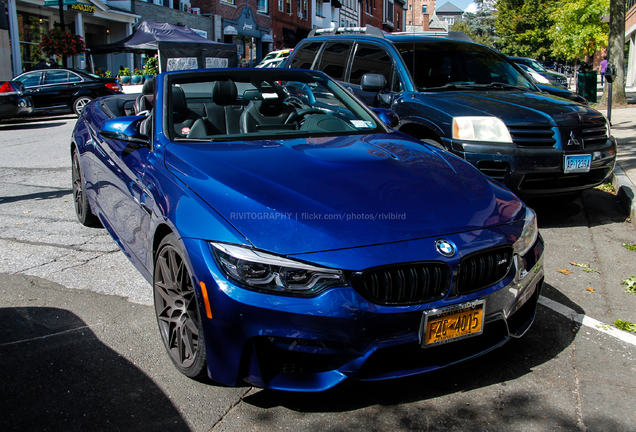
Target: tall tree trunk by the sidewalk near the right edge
point(616, 52)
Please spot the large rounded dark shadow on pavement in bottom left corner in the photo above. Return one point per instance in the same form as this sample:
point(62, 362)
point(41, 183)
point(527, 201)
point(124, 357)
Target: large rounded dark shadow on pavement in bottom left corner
point(56, 374)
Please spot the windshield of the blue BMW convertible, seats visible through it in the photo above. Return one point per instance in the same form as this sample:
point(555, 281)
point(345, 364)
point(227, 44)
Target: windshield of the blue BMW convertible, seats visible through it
point(263, 104)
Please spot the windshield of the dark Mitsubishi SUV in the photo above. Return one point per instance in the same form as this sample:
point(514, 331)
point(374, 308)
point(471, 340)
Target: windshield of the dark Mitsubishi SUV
point(448, 64)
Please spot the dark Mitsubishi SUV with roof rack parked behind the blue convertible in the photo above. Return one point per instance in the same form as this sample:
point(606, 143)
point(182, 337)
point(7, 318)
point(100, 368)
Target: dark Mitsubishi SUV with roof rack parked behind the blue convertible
point(472, 101)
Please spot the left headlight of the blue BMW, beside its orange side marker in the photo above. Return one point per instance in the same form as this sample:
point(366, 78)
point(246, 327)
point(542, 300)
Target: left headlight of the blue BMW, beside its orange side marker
point(264, 271)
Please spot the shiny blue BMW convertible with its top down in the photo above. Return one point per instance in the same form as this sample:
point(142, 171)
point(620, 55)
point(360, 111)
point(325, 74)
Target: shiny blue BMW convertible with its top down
point(293, 239)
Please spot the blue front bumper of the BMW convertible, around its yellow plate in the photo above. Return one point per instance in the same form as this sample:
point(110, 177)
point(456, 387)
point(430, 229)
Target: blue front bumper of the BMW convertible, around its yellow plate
point(313, 344)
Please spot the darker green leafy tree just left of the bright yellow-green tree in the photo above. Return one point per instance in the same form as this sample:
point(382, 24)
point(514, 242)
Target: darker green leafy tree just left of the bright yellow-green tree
point(523, 27)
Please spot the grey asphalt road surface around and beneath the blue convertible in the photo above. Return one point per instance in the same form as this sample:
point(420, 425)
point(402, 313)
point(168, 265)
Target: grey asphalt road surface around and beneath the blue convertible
point(80, 350)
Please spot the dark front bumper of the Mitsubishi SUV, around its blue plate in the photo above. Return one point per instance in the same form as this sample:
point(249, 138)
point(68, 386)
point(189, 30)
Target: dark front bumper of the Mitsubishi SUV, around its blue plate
point(537, 171)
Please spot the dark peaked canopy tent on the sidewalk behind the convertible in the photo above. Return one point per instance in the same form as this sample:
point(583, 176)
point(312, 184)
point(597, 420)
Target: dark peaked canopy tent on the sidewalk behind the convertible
point(179, 47)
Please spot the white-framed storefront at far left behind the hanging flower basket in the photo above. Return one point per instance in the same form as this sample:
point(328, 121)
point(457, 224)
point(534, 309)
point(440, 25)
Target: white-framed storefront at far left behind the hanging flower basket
point(93, 21)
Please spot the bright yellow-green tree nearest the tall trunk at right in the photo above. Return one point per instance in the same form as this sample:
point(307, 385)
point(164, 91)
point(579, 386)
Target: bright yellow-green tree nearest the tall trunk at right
point(578, 30)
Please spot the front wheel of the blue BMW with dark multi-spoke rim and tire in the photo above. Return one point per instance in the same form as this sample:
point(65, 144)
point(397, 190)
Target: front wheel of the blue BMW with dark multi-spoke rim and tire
point(177, 312)
